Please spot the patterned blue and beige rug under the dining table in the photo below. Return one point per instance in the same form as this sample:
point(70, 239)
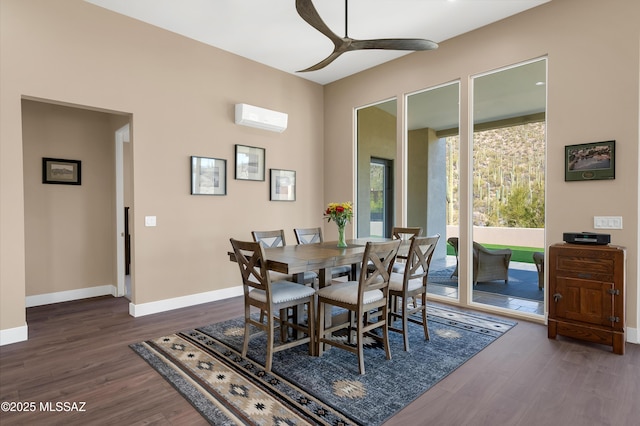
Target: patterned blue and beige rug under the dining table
point(205, 366)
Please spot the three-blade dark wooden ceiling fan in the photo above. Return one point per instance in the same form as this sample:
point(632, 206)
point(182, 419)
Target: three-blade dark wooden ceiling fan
point(308, 12)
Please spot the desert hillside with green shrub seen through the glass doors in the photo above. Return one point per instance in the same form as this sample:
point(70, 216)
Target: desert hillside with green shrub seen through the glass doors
point(508, 179)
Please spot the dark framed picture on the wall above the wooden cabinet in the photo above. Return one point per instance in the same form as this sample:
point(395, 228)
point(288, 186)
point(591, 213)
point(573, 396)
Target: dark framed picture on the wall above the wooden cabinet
point(590, 161)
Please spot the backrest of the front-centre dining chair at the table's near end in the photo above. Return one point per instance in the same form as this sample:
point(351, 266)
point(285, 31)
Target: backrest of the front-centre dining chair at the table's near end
point(379, 256)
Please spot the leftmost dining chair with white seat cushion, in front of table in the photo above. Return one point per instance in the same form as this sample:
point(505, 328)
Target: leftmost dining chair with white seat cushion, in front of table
point(270, 298)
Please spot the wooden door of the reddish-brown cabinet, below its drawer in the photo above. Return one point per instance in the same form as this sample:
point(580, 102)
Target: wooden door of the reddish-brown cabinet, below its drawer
point(583, 300)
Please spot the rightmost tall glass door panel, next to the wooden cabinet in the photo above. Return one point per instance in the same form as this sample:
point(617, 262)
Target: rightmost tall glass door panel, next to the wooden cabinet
point(509, 139)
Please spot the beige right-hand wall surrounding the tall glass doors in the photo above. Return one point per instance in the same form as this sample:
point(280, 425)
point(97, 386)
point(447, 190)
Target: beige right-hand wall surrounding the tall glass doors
point(592, 48)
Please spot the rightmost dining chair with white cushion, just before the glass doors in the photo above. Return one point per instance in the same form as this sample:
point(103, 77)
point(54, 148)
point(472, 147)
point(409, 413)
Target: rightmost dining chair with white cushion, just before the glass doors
point(408, 291)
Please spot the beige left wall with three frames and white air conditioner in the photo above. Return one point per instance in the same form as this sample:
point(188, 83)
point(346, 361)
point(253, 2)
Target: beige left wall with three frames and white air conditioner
point(181, 96)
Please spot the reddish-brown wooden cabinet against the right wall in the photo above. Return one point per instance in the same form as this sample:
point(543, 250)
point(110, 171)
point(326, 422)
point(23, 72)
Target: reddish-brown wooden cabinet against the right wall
point(586, 293)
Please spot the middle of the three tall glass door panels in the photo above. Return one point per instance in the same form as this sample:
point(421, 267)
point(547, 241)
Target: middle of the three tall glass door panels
point(433, 160)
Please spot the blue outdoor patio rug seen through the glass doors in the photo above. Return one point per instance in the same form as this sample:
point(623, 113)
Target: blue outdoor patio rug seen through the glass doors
point(522, 284)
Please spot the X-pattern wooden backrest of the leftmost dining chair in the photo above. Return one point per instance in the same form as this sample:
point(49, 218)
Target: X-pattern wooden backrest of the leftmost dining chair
point(250, 258)
